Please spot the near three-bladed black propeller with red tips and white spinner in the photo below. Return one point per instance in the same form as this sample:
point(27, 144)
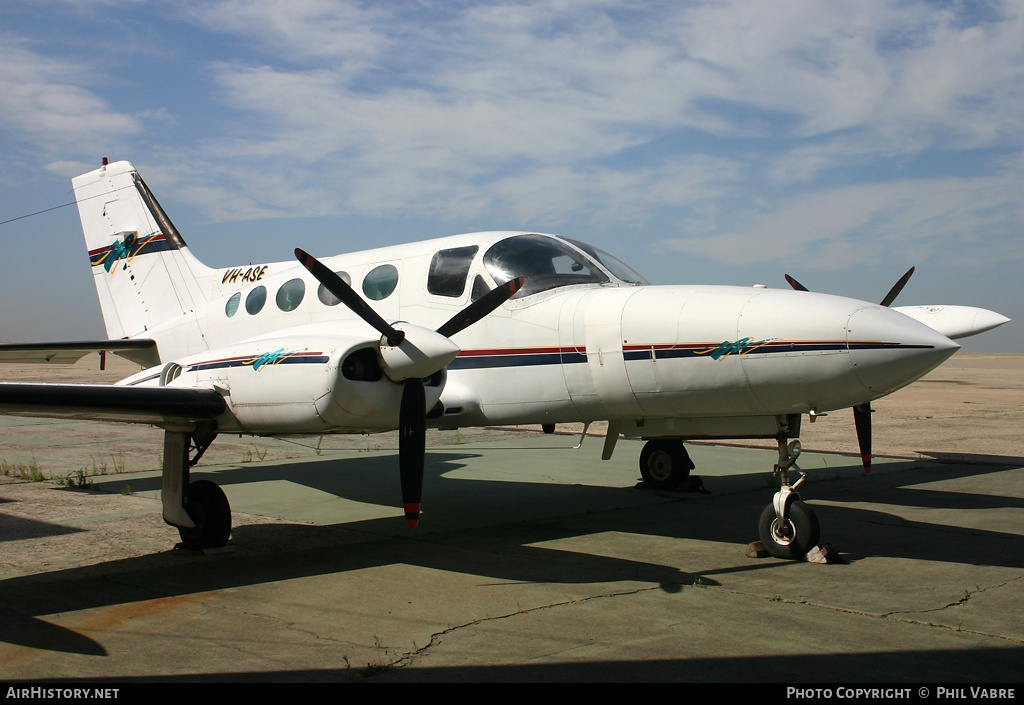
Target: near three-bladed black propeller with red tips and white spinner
point(409, 354)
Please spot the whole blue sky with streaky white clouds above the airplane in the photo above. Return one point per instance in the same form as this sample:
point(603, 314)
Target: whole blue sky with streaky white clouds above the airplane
point(729, 142)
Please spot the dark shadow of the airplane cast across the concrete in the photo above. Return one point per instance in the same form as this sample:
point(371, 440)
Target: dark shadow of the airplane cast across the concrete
point(503, 549)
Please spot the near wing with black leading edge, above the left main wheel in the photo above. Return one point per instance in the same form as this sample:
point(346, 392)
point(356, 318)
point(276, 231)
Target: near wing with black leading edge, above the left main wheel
point(158, 406)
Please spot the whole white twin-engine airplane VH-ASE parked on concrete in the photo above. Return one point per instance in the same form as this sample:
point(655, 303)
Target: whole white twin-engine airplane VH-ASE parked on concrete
point(482, 329)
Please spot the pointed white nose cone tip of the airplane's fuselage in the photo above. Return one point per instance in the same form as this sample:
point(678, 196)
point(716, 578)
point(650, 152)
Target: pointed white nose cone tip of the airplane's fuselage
point(889, 350)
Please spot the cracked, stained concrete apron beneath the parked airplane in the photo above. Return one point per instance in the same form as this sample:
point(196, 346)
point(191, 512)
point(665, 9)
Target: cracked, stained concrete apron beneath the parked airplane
point(533, 563)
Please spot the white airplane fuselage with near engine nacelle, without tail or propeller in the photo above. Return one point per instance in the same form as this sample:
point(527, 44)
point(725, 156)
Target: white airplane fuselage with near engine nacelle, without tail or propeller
point(580, 344)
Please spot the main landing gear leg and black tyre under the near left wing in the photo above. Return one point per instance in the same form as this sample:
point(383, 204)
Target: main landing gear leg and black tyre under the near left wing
point(199, 510)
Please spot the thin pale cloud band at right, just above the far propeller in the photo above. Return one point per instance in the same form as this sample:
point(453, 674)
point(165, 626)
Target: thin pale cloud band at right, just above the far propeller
point(955, 223)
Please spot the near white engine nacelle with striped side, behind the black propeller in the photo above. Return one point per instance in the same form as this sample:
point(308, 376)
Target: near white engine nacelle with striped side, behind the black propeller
point(298, 385)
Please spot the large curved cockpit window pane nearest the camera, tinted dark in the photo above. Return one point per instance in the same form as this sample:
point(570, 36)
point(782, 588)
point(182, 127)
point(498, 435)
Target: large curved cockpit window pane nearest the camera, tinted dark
point(545, 264)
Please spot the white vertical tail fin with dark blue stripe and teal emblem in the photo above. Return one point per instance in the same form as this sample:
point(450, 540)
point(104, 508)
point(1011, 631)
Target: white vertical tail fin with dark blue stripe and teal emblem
point(146, 277)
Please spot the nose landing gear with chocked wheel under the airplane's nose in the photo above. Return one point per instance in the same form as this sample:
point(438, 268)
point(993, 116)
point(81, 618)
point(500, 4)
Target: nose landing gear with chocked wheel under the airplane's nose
point(789, 529)
